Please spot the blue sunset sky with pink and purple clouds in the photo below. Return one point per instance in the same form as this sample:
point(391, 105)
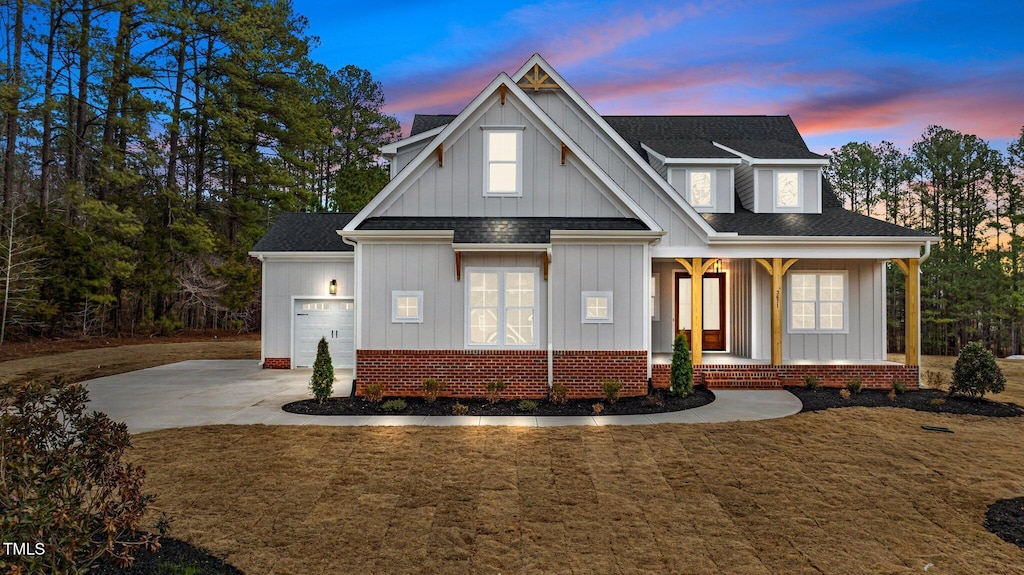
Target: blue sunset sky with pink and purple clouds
point(861, 71)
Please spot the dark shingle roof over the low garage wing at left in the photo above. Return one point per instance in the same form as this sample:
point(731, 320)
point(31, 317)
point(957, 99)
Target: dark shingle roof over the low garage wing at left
point(306, 233)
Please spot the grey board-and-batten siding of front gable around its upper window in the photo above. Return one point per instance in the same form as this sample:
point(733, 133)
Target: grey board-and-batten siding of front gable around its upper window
point(549, 190)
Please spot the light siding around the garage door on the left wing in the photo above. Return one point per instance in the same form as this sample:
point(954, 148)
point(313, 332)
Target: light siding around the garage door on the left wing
point(283, 280)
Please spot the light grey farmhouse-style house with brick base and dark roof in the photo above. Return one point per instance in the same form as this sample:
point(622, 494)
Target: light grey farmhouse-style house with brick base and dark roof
point(530, 240)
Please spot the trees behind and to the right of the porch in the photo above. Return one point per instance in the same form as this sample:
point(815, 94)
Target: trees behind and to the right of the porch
point(971, 196)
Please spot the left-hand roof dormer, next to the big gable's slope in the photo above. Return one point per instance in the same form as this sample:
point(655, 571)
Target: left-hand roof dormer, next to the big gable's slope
point(701, 172)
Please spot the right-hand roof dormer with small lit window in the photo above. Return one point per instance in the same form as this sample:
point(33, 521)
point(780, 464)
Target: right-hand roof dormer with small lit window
point(776, 178)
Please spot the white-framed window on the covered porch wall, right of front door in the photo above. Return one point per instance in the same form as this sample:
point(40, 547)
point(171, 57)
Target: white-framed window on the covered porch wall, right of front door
point(818, 301)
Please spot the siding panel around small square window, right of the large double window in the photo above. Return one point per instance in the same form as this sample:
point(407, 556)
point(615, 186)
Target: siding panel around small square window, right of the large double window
point(617, 269)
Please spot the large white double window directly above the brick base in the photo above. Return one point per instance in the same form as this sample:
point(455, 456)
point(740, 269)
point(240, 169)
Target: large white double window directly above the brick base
point(502, 307)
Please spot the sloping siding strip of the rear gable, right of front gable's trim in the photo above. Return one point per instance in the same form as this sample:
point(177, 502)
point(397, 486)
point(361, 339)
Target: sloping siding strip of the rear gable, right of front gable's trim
point(632, 179)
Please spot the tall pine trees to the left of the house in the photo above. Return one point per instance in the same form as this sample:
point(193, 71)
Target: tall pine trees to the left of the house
point(147, 146)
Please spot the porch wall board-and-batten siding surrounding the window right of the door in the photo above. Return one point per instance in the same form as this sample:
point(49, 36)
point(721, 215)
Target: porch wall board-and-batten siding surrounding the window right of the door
point(860, 343)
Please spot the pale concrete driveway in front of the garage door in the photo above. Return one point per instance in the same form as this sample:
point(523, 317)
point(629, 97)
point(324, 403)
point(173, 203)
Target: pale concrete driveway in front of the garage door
point(205, 392)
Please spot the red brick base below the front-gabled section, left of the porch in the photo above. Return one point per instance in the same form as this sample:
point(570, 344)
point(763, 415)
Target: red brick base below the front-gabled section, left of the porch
point(466, 373)
